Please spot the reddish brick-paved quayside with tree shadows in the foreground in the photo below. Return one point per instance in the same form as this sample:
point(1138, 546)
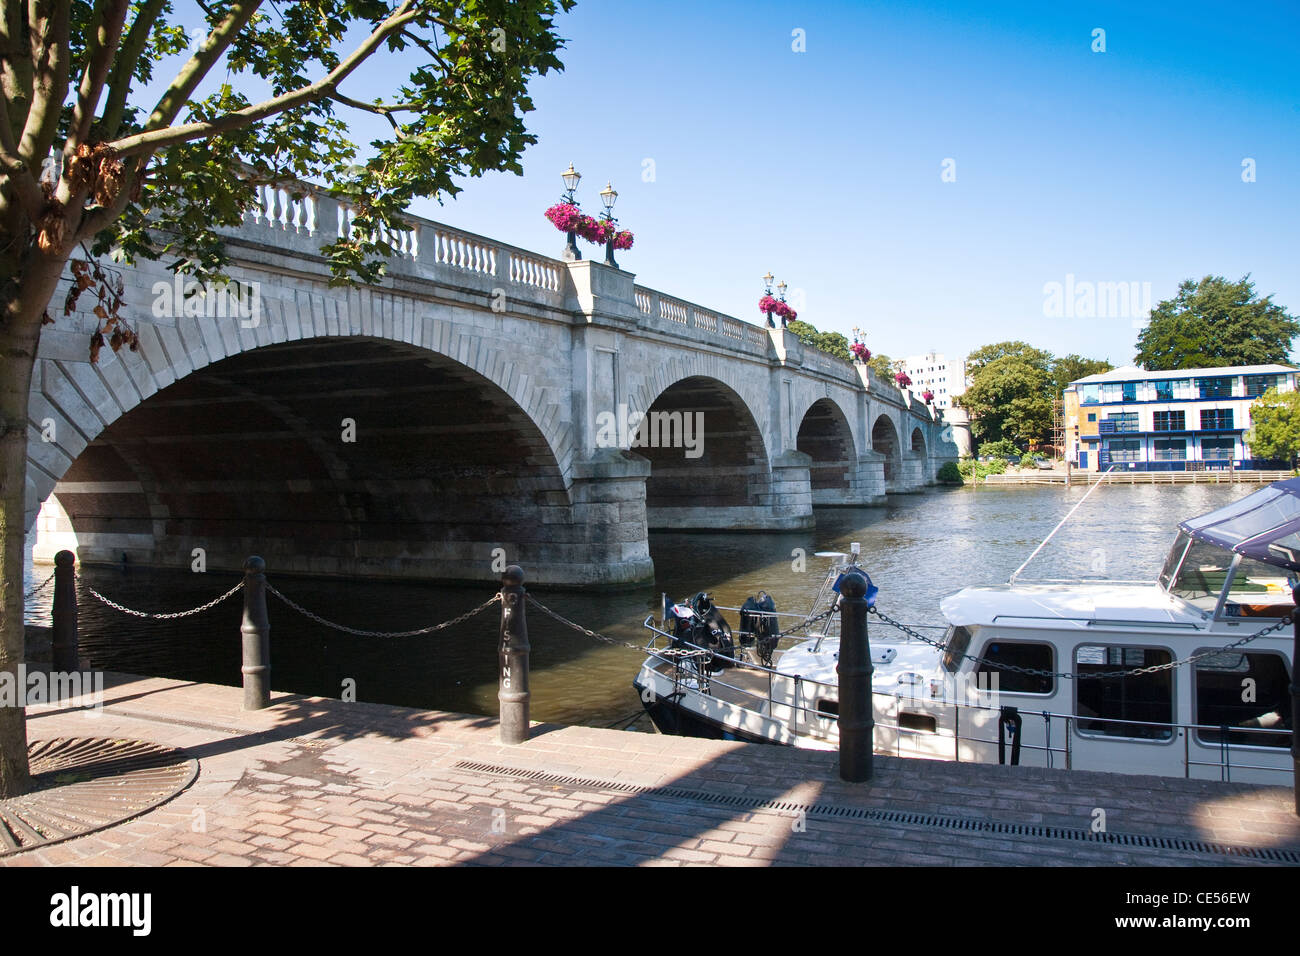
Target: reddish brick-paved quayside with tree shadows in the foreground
point(322, 782)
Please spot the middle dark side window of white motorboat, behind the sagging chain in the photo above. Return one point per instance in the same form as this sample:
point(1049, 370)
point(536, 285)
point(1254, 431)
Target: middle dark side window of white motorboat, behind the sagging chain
point(1104, 704)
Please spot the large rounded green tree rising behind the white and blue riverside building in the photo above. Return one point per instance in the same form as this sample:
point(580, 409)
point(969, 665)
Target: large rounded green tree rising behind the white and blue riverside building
point(1216, 323)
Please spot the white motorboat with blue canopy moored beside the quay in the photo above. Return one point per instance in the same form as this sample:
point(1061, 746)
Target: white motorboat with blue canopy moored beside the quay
point(1189, 676)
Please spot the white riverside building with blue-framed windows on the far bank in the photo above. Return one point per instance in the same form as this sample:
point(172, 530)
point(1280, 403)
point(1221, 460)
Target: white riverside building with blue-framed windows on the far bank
point(1191, 419)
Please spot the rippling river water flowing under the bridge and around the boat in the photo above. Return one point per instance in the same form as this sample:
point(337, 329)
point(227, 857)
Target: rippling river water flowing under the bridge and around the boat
point(917, 550)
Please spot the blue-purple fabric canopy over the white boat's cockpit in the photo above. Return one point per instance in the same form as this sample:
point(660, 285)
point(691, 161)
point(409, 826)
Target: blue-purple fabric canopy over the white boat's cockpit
point(1264, 526)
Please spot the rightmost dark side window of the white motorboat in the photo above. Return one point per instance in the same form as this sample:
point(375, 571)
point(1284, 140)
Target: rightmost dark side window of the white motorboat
point(1238, 690)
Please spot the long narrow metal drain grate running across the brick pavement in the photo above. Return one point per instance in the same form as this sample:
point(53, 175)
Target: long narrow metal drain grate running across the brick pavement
point(904, 817)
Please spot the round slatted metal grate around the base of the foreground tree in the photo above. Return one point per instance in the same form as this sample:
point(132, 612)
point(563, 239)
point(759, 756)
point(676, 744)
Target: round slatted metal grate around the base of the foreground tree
point(83, 785)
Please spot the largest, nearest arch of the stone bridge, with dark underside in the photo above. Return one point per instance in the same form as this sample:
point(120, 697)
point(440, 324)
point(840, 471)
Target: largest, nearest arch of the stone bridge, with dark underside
point(353, 455)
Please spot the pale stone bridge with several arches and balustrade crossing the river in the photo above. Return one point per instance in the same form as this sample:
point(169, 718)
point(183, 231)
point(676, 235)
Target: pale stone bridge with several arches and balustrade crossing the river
point(480, 399)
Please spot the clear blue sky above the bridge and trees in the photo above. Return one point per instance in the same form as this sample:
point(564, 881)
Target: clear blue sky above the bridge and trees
point(826, 166)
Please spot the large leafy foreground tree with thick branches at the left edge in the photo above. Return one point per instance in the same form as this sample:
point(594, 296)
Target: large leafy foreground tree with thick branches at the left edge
point(144, 180)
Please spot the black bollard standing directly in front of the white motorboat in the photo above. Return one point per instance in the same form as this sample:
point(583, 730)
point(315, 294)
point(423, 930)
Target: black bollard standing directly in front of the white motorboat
point(857, 726)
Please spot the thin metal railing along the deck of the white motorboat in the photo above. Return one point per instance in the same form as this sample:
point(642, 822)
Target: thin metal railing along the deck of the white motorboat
point(707, 681)
